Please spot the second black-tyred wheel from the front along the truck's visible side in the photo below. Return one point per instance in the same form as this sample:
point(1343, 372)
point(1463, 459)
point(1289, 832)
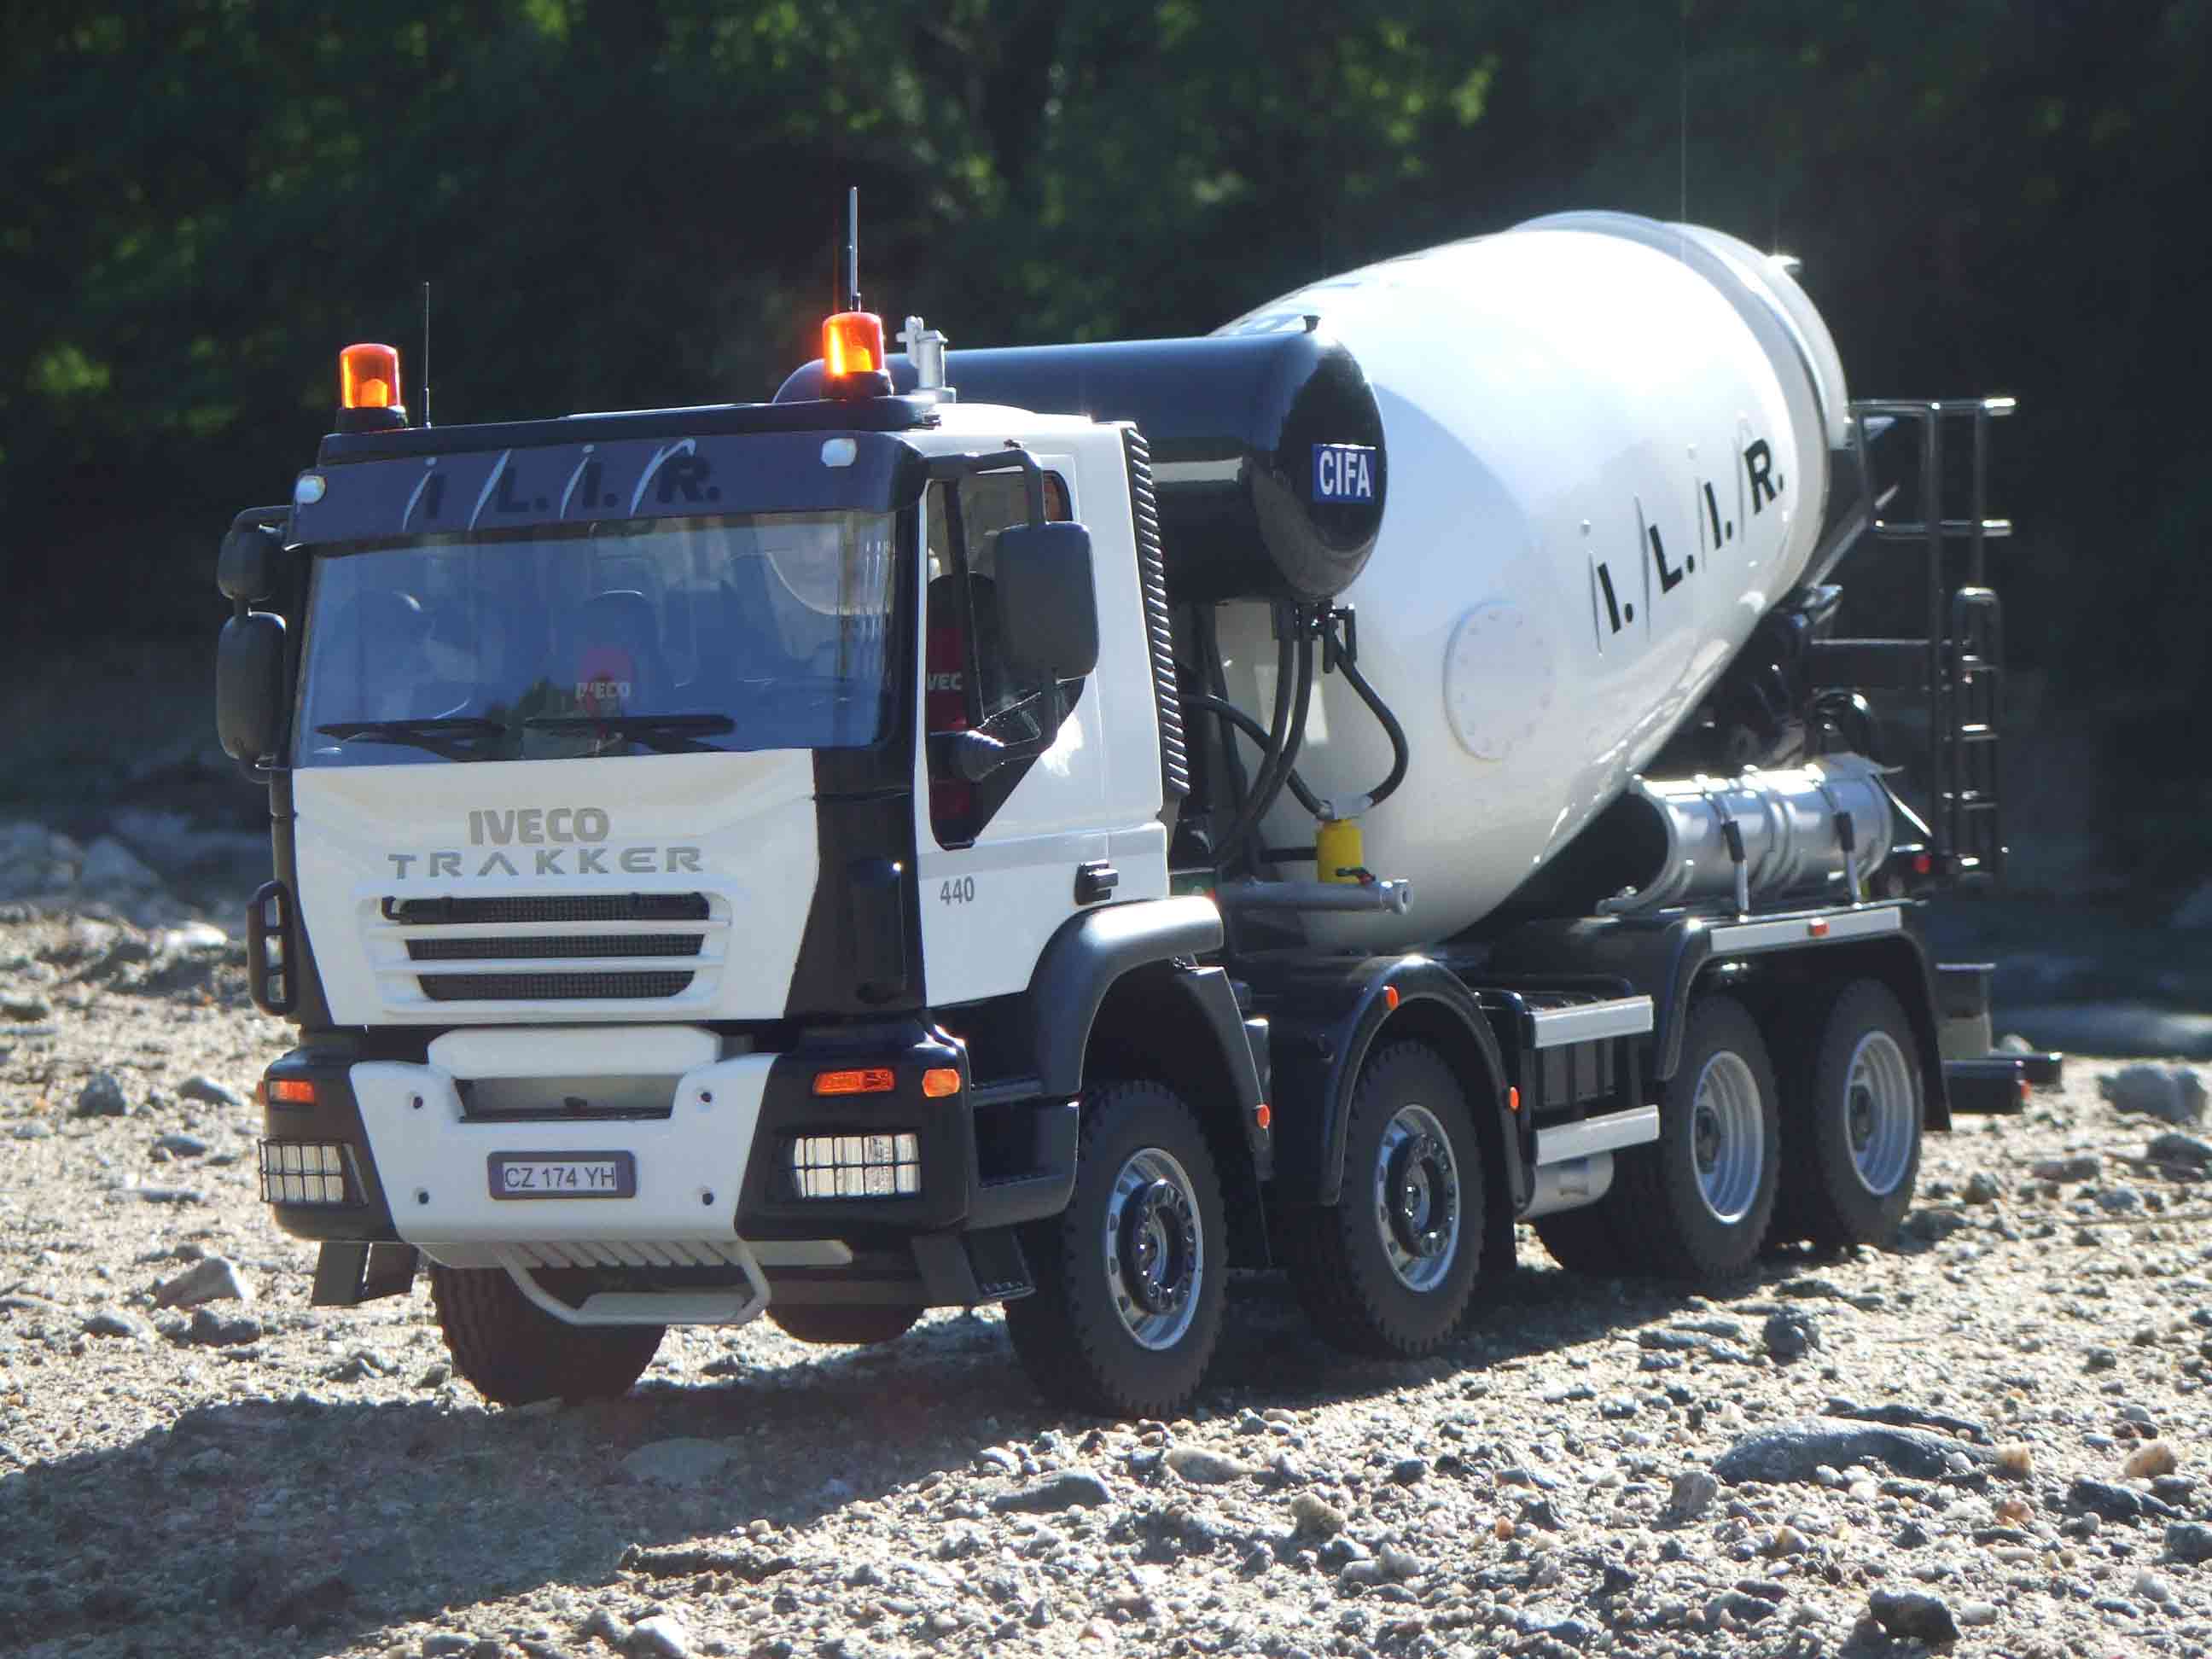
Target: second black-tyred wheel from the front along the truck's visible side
point(1373, 1273)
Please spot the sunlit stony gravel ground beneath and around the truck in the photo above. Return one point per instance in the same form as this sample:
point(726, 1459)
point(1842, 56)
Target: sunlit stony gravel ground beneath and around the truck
point(1987, 1439)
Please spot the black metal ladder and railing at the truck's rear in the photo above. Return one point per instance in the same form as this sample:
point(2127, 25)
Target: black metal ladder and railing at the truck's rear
point(1959, 665)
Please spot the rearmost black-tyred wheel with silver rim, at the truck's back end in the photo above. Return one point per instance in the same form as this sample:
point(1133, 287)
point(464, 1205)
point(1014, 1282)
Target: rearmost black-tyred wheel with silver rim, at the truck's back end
point(1824, 1193)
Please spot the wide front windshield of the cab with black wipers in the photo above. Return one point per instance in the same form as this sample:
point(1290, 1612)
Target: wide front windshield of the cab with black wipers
point(766, 632)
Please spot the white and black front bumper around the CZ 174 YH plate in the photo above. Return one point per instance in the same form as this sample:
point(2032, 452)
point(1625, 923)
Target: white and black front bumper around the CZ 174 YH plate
point(716, 1176)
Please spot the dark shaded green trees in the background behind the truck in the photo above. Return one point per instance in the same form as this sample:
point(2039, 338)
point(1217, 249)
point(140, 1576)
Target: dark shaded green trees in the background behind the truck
point(629, 202)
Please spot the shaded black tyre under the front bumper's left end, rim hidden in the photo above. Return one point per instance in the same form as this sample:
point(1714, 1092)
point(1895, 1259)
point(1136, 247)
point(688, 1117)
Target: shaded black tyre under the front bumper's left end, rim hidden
point(514, 1353)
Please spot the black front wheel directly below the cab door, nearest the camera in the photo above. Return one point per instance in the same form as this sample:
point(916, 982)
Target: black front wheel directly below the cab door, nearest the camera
point(1072, 1335)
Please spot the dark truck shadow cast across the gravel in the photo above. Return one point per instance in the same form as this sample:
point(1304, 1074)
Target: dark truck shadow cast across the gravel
point(335, 1521)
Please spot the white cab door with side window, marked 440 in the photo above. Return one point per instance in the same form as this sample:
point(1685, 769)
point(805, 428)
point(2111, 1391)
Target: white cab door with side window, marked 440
point(1001, 859)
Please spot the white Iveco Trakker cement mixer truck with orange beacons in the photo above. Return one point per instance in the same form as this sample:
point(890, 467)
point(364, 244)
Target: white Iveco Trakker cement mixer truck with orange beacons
point(1100, 817)
